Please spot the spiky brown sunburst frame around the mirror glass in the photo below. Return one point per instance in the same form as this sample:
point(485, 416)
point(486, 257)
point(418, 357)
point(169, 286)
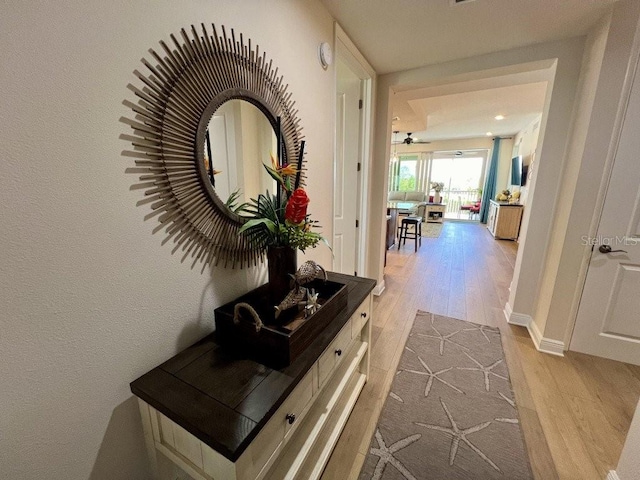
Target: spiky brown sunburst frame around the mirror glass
point(175, 103)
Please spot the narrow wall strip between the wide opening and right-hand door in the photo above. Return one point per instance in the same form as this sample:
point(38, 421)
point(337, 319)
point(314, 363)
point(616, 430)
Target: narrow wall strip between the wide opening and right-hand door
point(576, 216)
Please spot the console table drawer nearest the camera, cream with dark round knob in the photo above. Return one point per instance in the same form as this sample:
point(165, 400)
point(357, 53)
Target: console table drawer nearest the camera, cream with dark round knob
point(274, 432)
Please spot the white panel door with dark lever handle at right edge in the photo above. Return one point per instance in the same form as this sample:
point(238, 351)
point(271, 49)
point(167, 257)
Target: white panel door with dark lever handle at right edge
point(608, 322)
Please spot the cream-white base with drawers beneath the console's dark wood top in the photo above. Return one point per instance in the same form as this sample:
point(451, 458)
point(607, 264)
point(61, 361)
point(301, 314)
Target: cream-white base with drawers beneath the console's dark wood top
point(322, 402)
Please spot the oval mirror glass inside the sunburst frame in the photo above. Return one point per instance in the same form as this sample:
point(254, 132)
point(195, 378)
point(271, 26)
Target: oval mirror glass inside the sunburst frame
point(238, 141)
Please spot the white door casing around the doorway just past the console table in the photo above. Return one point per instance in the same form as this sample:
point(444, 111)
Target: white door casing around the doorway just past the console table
point(347, 51)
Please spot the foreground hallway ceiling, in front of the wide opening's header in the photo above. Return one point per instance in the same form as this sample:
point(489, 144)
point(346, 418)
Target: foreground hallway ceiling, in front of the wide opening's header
point(403, 34)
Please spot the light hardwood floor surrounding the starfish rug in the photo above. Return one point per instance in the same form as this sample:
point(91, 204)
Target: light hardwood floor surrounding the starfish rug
point(575, 410)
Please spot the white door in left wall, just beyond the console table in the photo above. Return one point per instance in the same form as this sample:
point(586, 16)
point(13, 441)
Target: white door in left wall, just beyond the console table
point(346, 169)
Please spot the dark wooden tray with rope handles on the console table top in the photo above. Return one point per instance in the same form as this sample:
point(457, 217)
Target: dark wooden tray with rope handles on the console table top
point(281, 341)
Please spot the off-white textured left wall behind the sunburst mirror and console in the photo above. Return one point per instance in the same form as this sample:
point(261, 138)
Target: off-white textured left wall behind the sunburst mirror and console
point(89, 298)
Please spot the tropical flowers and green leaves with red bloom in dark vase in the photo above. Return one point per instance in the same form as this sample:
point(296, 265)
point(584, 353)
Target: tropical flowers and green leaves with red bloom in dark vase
point(281, 219)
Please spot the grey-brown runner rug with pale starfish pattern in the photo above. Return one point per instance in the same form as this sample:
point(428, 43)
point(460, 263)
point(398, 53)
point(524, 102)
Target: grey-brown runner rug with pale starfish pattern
point(450, 413)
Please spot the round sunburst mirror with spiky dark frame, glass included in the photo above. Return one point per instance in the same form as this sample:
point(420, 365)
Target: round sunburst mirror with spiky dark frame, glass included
point(209, 111)
